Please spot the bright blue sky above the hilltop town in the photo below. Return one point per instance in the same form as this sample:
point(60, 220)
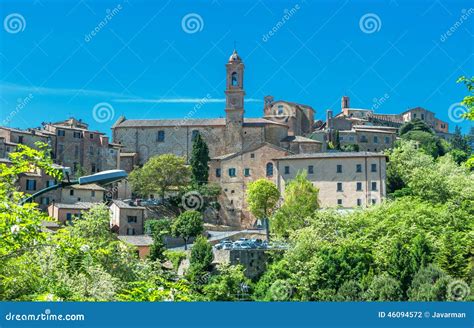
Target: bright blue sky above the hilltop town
point(146, 62)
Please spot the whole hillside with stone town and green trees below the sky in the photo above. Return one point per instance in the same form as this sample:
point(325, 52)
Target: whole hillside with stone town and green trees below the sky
point(234, 208)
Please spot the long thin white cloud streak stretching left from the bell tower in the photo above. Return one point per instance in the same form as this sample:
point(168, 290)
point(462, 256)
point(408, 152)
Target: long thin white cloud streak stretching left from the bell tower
point(6, 87)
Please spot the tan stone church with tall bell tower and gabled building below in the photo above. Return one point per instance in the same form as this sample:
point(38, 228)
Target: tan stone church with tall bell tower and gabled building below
point(242, 149)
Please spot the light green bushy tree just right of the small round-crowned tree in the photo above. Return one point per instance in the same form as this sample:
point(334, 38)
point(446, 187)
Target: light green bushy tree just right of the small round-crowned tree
point(301, 201)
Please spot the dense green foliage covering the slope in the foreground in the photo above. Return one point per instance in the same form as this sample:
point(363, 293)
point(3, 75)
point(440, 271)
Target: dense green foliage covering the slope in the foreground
point(417, 245)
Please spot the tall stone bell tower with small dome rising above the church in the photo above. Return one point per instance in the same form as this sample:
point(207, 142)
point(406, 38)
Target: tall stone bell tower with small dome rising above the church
point(234, 104)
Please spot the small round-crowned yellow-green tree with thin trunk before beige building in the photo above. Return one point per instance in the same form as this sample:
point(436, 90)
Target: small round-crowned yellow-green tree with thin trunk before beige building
point(262, 197)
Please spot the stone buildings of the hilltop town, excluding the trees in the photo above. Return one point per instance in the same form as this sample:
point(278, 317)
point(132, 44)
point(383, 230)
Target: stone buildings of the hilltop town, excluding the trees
point(342, 156)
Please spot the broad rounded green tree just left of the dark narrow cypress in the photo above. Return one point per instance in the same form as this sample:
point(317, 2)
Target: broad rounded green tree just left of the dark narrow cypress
point(159, 175)
